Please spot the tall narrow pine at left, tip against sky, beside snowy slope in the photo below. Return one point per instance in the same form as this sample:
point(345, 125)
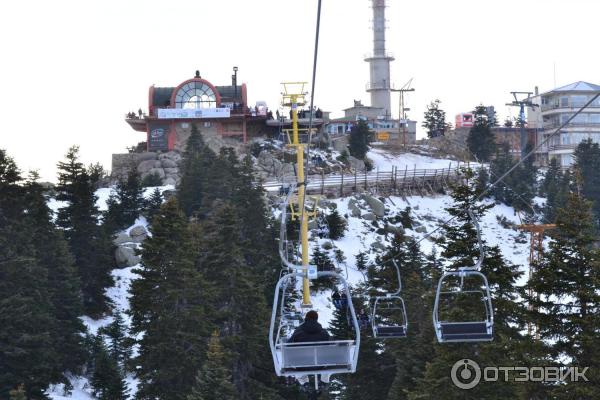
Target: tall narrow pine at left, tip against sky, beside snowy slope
point(88, 243)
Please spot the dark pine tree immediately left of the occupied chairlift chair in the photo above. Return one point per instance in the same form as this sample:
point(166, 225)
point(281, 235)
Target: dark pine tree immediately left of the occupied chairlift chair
point(241, 313)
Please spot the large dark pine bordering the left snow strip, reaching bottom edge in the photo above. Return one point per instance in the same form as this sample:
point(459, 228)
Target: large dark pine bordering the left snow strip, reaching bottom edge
point(168, 304)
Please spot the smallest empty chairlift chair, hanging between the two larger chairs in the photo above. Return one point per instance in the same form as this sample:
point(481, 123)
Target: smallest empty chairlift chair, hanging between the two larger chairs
point(388, 319)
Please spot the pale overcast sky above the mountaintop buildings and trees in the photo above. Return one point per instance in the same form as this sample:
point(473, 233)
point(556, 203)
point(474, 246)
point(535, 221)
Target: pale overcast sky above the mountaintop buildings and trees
point(70, 70)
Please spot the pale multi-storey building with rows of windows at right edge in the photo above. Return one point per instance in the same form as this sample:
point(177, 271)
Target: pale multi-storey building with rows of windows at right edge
point(556, 107)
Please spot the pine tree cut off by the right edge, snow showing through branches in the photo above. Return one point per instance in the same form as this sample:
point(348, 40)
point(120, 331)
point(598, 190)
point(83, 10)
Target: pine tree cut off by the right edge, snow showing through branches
point(566, 287)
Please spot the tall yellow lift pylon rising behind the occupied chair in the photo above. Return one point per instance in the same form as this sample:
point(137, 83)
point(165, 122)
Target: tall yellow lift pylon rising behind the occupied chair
point(294, 95)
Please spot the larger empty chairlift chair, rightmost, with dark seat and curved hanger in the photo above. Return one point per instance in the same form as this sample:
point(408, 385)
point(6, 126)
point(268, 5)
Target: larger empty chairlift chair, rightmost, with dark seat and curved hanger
point(474, 328)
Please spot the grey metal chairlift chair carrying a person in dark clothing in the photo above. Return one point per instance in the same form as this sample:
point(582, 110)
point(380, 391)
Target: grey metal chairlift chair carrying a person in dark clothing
point(312, 358)
